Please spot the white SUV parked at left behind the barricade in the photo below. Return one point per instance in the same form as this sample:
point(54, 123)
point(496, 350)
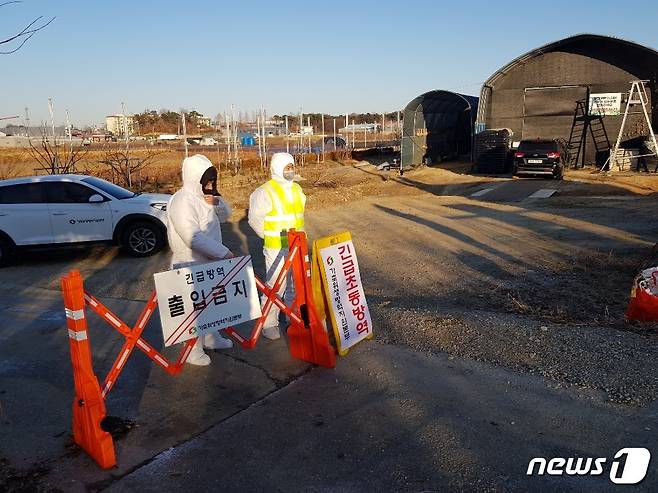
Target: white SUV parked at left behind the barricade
point(63, 209)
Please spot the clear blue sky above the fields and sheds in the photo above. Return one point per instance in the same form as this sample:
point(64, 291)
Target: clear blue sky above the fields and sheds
point(330, 57)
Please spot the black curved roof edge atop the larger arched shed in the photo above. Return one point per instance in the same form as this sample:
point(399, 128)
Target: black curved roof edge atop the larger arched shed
point(635, 59)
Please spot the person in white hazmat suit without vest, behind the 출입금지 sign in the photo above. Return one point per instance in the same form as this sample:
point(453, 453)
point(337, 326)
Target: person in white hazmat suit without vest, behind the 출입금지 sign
point(194, 214)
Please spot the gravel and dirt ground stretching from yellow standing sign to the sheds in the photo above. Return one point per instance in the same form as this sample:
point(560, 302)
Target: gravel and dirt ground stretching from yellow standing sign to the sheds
point(540, 288)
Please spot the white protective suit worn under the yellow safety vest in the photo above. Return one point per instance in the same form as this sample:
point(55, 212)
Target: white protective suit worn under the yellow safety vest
point(260, 205)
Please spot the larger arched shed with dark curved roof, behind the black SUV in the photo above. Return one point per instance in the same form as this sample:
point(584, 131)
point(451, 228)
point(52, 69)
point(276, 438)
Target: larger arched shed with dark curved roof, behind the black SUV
point(535, 95)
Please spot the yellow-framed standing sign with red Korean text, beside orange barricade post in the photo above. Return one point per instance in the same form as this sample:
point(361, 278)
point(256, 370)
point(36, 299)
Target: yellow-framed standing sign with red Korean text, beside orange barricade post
point(337, 281)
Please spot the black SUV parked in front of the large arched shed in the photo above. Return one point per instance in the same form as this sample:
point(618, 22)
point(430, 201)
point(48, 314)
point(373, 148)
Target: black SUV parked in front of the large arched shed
point(540, 157)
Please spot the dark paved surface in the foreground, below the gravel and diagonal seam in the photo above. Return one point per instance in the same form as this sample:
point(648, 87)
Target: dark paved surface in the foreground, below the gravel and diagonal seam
point(391, 419)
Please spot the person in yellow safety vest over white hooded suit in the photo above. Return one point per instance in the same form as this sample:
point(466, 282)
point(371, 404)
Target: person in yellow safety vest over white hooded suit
point(274, 208)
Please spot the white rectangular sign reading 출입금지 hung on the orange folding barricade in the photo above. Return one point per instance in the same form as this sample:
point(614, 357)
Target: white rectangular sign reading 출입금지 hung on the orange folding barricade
point(202, 298)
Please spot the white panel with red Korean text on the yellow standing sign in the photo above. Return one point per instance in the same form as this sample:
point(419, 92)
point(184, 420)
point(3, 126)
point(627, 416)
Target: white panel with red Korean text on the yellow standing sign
point(348, 304)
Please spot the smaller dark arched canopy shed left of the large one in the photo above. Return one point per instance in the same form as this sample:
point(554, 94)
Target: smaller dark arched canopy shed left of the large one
point(437, 125)
